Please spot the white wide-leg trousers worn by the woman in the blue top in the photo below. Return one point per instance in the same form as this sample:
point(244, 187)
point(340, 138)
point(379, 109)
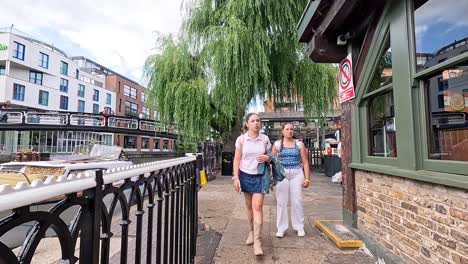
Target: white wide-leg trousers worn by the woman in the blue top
point(283, 188)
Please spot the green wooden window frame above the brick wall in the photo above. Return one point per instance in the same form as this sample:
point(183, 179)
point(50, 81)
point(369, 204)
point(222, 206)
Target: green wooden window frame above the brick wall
point(410, 109)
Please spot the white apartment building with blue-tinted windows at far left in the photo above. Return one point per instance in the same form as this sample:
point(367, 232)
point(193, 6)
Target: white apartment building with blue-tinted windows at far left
point(36, 75)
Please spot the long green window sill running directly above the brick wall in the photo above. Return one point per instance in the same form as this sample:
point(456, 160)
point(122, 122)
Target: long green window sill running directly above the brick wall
point(453, 180)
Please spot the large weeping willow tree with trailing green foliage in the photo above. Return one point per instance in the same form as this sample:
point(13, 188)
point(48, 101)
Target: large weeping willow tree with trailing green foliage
point(228, 53)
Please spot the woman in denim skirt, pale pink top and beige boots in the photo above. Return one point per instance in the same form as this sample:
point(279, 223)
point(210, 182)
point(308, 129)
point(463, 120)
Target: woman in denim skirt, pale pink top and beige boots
point(251, 149)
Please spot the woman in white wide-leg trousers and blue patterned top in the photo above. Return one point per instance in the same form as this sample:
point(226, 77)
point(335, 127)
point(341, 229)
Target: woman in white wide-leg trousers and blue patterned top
point(292, 154)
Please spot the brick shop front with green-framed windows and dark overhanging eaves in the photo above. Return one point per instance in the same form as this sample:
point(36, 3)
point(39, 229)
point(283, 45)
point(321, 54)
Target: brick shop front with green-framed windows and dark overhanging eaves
point(405, 132)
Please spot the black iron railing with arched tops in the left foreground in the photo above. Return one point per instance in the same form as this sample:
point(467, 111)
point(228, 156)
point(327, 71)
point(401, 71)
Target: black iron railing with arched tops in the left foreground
point(155, 206)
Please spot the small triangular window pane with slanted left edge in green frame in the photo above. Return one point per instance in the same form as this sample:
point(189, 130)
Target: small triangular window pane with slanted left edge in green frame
point(383, 73)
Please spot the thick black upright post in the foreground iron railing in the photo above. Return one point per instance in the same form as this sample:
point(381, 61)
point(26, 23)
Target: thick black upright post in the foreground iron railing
point(90, 232)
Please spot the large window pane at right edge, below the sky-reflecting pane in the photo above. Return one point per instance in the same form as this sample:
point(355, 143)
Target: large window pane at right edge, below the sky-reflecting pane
point(448, 120)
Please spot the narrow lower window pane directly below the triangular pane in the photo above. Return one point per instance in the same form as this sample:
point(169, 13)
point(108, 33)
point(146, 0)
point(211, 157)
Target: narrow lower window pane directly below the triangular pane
point(382, 126)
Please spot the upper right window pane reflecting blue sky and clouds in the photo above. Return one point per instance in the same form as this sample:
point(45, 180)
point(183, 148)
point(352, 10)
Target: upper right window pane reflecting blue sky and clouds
point(440, 31)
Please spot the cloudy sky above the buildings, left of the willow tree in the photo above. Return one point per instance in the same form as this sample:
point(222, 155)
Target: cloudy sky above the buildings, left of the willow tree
point(119, 34)
